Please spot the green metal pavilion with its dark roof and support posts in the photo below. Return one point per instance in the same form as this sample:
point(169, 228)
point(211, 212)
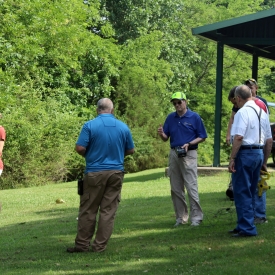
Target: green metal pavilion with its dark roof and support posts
point(253, 34)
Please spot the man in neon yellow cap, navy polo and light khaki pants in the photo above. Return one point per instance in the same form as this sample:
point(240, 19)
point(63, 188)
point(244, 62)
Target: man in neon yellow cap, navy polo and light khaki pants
point(185, 130)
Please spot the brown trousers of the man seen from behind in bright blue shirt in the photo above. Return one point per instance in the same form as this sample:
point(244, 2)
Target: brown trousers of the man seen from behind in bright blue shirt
point(101, 193)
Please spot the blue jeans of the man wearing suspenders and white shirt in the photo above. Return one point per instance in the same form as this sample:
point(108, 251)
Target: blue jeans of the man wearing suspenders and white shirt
point(248, 164)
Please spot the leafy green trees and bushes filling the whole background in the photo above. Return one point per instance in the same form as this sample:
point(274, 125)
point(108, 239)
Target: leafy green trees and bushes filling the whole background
point(58, 58)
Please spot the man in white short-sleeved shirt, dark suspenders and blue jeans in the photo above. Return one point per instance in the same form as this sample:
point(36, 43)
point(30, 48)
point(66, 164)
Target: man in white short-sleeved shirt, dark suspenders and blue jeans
point(250, 150)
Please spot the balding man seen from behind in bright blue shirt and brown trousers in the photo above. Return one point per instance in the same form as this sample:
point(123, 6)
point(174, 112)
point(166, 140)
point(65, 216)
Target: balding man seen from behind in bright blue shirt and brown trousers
point(103, 141)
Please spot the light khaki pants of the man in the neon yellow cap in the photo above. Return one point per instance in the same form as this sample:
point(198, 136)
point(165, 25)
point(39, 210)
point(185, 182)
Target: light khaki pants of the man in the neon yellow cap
point(183, 175)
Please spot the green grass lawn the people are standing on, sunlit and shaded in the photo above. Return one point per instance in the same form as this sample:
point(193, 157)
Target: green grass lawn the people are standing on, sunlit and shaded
point(35, 232)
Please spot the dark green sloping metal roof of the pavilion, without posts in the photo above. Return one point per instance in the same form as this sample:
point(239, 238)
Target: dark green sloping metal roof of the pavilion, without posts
point(253, 33)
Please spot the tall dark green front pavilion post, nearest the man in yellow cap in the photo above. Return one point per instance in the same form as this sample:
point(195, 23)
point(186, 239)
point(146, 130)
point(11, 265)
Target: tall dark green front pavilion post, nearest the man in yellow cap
point(218, 105)
